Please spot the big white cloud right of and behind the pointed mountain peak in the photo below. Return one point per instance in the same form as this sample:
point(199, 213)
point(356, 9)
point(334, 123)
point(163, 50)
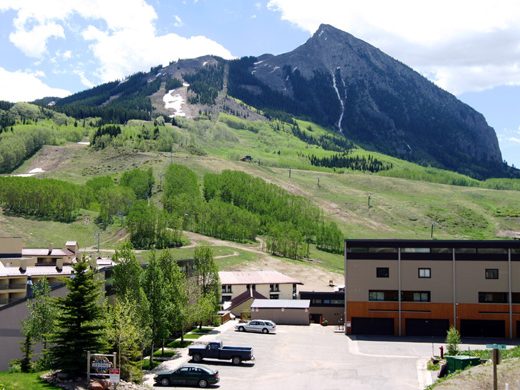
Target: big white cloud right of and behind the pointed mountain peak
point(463, 45)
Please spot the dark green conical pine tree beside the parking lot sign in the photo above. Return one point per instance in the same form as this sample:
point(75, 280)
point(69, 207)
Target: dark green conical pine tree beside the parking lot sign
point(79, 327)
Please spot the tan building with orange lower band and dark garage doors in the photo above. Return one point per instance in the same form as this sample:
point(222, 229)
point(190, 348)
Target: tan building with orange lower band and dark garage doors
point(422, 287)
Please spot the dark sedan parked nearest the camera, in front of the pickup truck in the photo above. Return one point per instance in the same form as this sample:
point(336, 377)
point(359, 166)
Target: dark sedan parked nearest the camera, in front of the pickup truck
point(188, 375)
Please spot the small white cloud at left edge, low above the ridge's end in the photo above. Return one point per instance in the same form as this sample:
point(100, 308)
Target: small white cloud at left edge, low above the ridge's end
point(25, 86)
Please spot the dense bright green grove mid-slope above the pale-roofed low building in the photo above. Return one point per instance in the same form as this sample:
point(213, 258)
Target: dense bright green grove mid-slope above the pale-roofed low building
point(236, 206)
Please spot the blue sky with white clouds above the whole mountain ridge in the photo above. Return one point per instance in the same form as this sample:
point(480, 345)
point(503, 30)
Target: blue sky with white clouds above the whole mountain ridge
point(470, 48)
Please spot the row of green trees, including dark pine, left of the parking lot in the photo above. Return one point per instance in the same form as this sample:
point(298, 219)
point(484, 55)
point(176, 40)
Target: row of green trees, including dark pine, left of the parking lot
point(151, 304)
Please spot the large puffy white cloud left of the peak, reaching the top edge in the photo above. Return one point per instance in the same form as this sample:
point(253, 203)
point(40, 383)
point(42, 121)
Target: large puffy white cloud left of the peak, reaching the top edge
point(126, 41)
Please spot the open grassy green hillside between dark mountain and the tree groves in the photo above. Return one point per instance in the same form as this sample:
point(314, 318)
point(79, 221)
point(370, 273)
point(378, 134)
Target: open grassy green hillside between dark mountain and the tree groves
point(405, 200)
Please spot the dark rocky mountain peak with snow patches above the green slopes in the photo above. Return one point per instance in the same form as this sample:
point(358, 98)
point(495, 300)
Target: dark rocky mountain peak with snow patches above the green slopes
point(333, 79)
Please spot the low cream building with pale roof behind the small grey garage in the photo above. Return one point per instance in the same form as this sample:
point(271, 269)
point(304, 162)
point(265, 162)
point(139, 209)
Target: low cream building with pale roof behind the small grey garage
point(239, 289)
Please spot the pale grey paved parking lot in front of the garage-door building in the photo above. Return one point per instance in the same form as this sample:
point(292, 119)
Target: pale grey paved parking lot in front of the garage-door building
point(316, 357)
